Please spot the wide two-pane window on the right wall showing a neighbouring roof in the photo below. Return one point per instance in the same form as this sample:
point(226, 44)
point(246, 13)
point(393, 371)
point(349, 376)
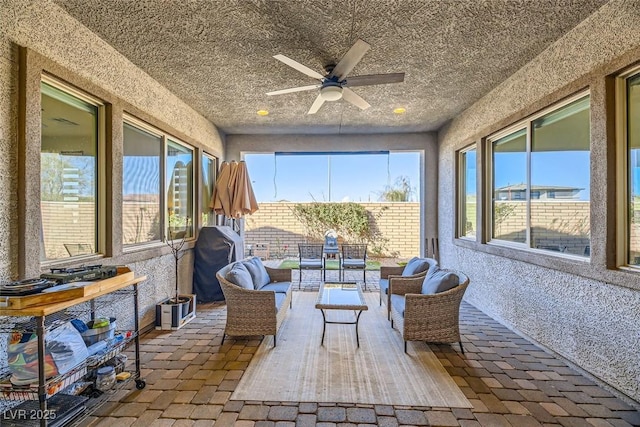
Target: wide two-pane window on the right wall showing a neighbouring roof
point(540, 178)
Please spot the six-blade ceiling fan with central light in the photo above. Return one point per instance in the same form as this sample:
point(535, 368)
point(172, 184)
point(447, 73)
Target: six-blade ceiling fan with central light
point(335, 84)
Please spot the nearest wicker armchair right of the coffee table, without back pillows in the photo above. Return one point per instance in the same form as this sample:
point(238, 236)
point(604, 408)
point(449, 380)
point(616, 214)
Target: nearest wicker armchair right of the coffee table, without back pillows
point(430, 318)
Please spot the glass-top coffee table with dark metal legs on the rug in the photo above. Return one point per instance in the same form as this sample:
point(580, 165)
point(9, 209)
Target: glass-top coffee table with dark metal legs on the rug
point(341, 296)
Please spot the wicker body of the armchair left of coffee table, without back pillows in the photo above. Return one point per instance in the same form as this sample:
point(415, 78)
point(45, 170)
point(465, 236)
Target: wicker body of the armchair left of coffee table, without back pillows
point(253, 312)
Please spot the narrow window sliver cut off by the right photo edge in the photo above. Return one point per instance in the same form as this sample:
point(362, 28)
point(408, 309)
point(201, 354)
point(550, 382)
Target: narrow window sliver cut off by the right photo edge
point(632, 128)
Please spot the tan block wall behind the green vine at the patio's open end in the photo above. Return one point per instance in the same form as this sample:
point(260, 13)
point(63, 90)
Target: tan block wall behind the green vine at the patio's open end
point(275, 224)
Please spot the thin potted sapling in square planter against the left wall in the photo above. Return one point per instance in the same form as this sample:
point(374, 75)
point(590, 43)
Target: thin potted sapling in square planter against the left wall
point(179, 309)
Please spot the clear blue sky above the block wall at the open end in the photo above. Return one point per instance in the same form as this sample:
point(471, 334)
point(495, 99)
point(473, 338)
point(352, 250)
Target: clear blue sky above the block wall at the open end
point(336, 177)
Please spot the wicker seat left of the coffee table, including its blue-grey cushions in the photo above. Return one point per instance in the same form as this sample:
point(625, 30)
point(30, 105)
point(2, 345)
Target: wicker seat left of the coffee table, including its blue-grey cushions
point(257, 297)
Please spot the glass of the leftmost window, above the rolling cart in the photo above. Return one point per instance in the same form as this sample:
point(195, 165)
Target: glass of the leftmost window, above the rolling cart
point(68, 172)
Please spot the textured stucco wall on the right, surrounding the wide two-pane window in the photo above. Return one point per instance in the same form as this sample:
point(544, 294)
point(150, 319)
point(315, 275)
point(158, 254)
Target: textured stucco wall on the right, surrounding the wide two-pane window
point(581, 309)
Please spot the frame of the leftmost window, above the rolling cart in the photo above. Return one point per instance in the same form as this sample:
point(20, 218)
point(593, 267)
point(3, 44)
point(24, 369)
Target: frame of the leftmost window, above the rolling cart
point(101, 169)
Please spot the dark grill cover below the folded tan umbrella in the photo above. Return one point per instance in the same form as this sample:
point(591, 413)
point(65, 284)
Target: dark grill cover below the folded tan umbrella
point(215, 248)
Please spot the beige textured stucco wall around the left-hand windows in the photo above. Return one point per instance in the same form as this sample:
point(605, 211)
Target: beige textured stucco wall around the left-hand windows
point(76, 54)
